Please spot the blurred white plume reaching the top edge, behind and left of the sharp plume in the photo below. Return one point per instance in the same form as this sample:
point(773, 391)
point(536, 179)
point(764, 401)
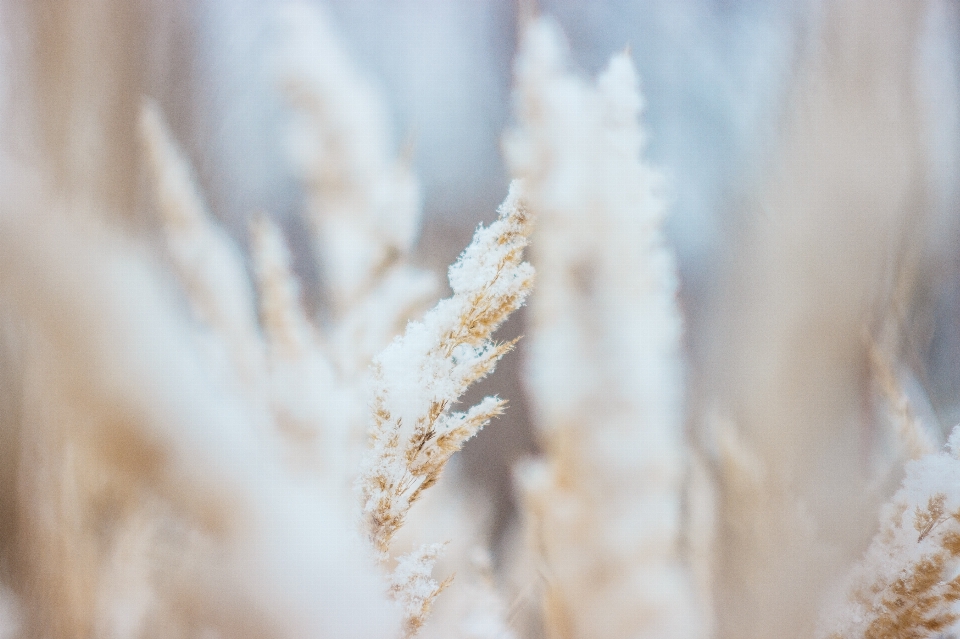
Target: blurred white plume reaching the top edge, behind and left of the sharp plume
point(363, 203)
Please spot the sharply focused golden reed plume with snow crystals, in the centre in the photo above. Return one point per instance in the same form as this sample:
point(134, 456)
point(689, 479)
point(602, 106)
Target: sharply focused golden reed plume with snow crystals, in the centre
point(421, 375)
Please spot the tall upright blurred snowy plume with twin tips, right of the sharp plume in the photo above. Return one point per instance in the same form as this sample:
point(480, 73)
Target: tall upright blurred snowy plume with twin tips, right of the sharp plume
point(604, 363)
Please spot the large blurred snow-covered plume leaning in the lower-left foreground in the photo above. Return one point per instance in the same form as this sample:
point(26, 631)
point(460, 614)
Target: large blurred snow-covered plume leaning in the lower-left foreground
point(139, 443)
